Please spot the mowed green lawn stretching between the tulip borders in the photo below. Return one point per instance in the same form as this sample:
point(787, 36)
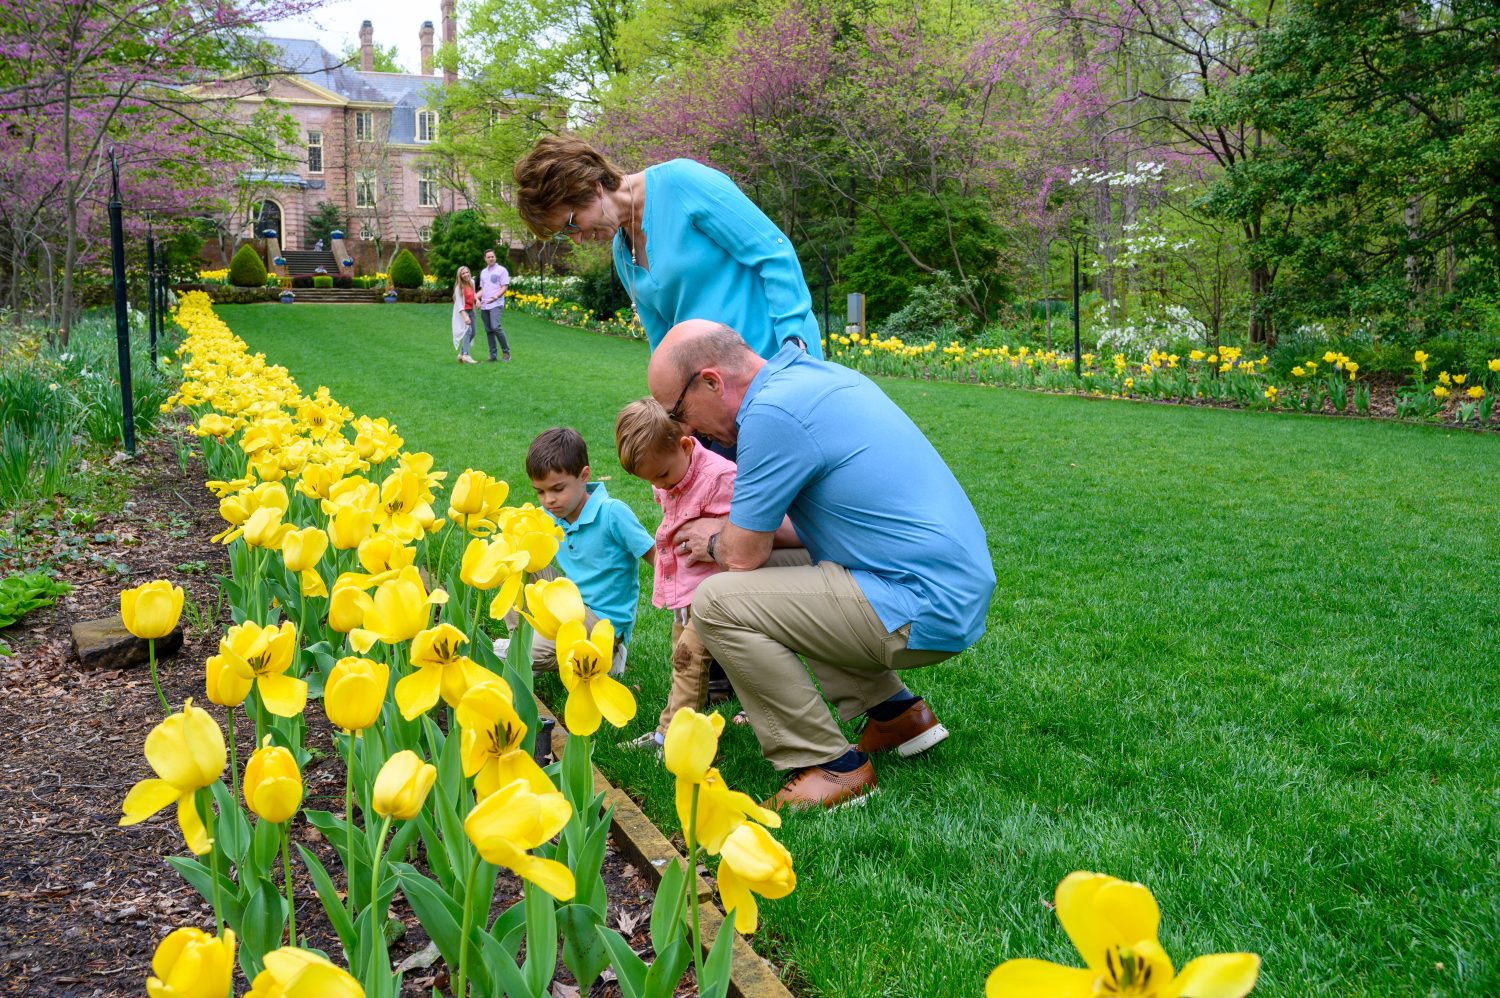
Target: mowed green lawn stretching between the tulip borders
point(1246, 660)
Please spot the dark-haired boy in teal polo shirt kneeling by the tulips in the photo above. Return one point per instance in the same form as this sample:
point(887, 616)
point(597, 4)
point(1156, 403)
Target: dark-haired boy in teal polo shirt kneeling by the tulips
point(602, 541)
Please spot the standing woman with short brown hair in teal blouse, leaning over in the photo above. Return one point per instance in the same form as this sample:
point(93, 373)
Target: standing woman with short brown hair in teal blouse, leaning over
point(688, 242)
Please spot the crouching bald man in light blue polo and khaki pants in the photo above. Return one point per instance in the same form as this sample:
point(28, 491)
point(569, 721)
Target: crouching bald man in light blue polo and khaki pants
point(896, 571)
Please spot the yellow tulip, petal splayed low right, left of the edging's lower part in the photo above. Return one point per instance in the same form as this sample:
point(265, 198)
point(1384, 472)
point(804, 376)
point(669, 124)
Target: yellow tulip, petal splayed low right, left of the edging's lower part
point(514, 820)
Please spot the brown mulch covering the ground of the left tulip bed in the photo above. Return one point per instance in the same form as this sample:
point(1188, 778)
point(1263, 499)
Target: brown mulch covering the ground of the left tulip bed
point(85, 903)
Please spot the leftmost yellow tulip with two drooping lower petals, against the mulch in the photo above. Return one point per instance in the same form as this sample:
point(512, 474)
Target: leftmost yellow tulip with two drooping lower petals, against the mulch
point(187, 751)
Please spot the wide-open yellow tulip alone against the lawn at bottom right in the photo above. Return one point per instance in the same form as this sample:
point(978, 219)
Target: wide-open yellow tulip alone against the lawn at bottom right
point(1114, 925)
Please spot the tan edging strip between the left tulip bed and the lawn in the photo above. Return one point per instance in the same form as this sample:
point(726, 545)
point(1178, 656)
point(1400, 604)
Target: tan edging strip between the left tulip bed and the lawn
point(650, 852)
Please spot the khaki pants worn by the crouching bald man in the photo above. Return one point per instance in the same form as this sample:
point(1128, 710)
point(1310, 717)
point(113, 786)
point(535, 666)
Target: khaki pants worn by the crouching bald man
point(757, 624)
